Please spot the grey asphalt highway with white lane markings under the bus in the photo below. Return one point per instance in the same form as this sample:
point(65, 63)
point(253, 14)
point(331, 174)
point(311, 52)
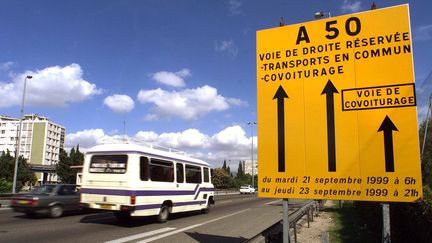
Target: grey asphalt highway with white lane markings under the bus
point(233, 219)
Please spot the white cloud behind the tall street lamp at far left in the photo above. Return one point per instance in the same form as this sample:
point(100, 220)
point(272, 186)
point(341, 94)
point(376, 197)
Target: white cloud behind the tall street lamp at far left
point(53, 86)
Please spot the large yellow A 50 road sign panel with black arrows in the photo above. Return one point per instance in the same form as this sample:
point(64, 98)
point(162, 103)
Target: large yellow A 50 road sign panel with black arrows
point(337, 114)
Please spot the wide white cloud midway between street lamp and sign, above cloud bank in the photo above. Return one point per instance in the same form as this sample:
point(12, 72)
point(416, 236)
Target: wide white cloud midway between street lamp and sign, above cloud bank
point(187, 104)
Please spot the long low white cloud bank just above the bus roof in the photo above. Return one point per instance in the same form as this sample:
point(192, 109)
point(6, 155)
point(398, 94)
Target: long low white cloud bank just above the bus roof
point(230, 143)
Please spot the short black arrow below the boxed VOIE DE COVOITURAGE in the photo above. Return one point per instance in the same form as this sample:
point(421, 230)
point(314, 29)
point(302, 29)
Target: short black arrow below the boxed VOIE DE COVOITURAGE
point(387, 126)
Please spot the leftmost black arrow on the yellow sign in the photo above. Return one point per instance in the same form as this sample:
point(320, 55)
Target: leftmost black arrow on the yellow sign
point(280, 95)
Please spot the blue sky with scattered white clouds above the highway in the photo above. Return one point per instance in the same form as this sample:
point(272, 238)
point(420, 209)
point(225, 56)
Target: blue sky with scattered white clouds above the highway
point(177, 73)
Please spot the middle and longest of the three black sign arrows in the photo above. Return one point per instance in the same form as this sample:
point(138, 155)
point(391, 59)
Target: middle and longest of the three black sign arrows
point(329, 90)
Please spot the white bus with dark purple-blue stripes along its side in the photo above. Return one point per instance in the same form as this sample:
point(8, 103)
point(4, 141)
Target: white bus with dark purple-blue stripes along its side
point(135, 180)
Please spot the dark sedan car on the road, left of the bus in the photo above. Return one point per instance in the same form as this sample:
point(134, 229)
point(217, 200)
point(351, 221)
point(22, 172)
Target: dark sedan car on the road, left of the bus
point(53, 199)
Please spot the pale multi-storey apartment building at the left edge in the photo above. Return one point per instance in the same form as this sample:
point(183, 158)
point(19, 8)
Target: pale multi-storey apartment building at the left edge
point(40, 143)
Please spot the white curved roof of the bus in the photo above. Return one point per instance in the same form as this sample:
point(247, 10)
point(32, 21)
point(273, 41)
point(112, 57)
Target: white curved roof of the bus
point(152, 152)
